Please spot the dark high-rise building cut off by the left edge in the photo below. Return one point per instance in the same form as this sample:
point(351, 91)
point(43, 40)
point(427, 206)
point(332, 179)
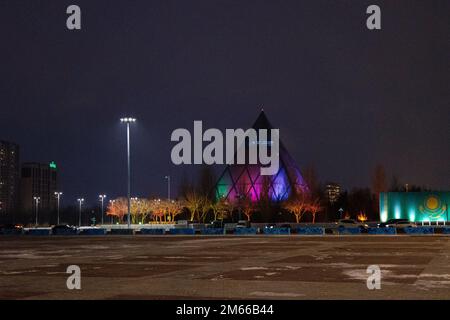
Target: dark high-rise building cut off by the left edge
point(9, 177)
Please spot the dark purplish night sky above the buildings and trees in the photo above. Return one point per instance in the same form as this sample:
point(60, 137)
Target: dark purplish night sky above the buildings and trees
point(345, 98)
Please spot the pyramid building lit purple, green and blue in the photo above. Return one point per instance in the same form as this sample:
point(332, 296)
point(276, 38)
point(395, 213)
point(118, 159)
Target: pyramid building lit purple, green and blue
point(245, 180)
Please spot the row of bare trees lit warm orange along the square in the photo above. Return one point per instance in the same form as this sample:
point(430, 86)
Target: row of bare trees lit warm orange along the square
point(200, 204)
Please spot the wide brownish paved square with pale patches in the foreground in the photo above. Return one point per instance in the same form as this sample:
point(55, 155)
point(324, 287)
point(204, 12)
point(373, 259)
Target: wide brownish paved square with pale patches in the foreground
point(225, 267)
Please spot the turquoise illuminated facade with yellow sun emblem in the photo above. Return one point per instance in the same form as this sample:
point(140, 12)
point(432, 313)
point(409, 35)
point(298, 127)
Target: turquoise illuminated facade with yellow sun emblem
point(415, 206)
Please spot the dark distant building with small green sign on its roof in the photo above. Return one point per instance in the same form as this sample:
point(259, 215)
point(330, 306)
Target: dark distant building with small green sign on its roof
point(38, 180)
